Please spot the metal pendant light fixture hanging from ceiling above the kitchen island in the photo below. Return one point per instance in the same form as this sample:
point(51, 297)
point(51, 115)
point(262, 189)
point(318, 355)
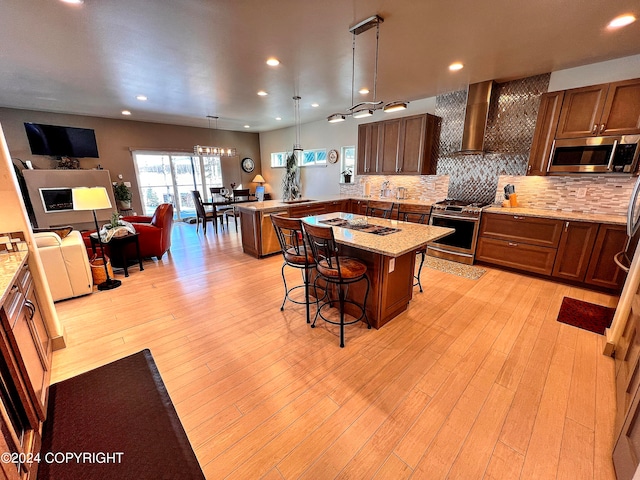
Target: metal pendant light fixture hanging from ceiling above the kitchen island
point(366, 109)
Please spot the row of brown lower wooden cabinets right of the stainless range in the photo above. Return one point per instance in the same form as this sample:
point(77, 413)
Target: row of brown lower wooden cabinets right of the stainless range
point(579, 252)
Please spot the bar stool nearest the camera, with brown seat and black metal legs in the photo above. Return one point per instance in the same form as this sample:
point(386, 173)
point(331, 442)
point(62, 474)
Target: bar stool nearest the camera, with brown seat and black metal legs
point(337, 270)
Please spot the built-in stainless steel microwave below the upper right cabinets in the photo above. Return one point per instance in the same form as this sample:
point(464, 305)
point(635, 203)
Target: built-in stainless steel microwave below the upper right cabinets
point(617, 154)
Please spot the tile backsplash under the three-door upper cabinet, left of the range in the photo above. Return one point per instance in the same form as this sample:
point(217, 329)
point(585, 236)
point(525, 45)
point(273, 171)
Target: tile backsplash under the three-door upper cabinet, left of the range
point(426, 188)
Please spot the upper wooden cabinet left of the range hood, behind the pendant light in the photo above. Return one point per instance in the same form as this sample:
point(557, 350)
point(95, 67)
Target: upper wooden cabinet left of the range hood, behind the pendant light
point(400, 146)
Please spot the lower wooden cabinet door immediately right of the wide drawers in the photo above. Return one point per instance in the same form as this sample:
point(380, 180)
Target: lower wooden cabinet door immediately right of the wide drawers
point(574, 250)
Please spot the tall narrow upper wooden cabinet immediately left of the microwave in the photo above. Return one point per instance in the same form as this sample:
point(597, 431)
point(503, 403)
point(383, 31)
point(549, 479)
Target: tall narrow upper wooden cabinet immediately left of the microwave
point(546, 125)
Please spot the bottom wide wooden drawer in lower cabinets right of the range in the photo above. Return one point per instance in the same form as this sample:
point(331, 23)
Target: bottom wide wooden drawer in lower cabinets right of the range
point(521, 256)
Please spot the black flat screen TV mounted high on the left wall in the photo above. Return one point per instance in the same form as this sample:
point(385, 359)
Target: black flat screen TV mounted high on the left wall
point(57, 141)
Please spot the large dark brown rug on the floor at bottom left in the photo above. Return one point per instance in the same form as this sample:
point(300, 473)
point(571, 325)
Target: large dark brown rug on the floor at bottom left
point(115, 422)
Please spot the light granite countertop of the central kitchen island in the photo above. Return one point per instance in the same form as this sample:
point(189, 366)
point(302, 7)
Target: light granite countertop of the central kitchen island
point(410, 237)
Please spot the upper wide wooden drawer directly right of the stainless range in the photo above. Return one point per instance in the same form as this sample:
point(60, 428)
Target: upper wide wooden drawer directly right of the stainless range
point(543, 232)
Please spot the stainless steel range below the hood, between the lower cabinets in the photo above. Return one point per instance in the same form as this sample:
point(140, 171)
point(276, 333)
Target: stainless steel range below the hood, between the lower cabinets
point(465, 218)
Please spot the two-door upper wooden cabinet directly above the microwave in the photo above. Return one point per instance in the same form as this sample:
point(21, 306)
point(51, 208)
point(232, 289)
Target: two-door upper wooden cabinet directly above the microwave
point(608, 109)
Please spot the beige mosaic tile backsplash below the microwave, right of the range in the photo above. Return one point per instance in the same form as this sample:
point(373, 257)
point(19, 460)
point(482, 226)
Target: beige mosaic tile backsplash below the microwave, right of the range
point(603, 194)
